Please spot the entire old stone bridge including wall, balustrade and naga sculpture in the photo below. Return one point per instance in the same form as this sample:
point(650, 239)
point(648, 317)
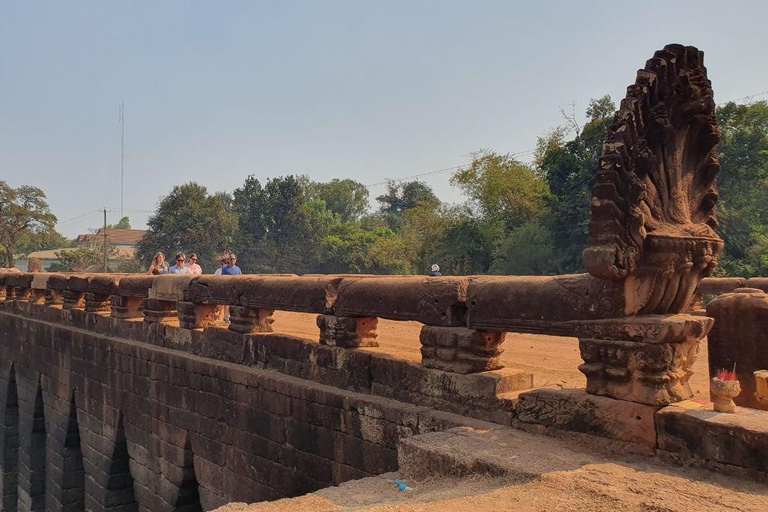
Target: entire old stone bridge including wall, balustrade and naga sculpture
point(130, 392)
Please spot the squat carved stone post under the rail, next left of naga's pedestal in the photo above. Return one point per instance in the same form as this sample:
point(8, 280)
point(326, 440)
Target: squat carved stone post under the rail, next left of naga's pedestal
point(461, 350)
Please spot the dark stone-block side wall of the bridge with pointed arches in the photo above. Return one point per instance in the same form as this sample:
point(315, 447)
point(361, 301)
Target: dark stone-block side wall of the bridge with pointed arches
point(116, 424)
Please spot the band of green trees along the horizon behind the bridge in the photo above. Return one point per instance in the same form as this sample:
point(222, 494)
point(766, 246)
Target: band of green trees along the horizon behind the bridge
point(517, 217)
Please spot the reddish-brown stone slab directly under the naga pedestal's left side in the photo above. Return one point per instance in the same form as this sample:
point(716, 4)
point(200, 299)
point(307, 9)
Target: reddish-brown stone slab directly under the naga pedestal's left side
point(575, 410)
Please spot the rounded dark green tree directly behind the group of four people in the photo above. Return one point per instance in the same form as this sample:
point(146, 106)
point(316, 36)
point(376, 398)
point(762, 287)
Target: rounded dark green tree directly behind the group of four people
point(189, 219)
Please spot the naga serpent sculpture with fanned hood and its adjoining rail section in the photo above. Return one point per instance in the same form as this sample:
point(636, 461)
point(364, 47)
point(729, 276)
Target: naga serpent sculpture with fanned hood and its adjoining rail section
point(652, 230)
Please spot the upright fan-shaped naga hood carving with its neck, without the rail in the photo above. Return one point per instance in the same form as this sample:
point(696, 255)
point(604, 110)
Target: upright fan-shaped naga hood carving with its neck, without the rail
point(653, 206)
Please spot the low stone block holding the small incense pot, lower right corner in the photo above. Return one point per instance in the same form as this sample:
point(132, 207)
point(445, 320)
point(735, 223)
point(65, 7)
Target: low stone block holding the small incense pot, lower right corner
point(692, 433)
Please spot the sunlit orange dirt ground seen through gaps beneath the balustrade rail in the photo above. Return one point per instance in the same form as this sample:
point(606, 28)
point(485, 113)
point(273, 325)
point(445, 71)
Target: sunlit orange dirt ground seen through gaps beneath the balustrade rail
point(553, 360)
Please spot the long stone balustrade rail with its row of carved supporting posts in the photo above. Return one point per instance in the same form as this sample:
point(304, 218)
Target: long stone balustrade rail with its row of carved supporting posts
point(465, 319)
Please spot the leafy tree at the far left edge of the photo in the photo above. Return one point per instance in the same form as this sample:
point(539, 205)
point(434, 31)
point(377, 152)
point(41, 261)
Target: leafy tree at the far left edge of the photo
point(24, 211)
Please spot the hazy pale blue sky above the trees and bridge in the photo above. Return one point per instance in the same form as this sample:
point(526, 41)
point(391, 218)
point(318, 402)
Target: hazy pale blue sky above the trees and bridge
point(215, 91)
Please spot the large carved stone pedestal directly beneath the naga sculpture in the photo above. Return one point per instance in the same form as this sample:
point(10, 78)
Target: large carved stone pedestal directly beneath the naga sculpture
point(644, 359)
